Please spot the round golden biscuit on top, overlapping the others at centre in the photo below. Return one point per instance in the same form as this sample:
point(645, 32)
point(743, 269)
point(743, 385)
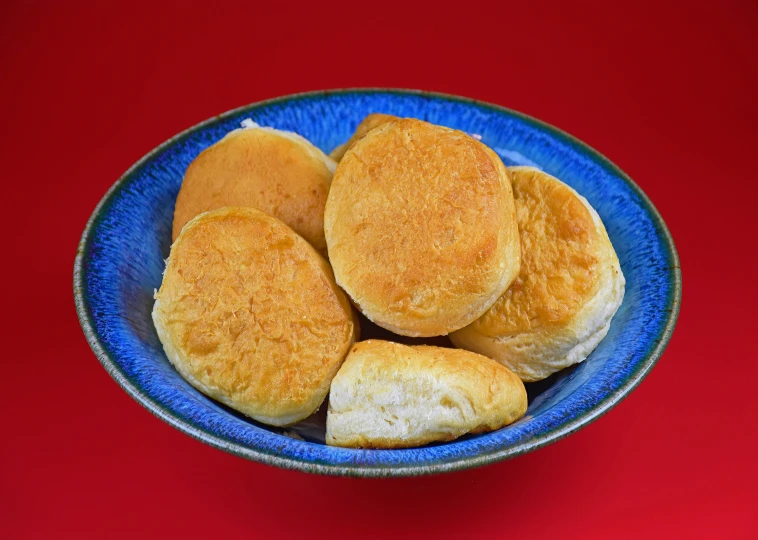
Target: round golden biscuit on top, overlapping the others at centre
point(421, 227)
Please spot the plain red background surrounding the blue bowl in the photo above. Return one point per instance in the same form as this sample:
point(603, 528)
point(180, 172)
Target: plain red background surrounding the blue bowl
point(666, 91)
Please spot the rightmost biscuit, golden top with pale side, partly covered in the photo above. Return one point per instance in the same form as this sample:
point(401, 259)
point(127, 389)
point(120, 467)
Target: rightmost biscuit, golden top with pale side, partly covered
point(570, 285)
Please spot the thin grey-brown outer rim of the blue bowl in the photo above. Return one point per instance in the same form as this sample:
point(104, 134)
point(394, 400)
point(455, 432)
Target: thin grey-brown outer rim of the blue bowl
point(156, 408)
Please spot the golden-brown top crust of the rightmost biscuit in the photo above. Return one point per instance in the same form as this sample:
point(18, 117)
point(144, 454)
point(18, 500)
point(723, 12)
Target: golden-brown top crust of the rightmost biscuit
point(561, 249)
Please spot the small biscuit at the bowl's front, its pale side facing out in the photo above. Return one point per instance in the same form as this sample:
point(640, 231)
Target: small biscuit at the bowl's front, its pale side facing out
point(388, 395)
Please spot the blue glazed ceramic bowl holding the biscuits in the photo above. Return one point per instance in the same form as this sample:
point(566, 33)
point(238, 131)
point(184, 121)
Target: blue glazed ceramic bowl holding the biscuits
point(120, 261)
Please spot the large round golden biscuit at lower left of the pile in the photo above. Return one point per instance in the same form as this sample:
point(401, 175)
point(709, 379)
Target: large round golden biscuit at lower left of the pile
point(250, 315)
